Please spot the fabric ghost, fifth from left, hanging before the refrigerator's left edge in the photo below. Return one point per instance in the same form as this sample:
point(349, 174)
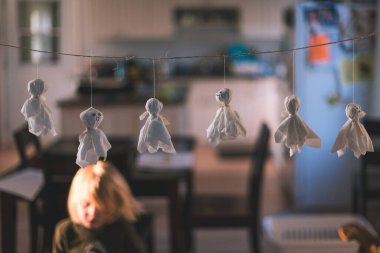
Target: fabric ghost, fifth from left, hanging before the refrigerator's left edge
point(293, 130)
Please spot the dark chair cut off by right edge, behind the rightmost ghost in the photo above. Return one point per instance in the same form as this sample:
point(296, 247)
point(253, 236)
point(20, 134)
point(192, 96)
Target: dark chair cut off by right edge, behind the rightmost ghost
point(365, 189)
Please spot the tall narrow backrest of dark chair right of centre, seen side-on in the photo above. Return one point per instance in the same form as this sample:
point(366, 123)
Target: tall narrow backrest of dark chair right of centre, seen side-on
point(259, 156)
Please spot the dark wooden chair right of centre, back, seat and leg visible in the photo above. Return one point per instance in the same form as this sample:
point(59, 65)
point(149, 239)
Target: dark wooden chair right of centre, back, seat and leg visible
point(215, 211)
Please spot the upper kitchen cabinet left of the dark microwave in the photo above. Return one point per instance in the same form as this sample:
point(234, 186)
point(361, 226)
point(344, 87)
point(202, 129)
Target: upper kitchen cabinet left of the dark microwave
point(132, 19)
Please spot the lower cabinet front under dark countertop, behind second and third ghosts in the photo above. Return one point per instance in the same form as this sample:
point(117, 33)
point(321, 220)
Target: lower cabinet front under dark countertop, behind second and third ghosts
point(122, 120)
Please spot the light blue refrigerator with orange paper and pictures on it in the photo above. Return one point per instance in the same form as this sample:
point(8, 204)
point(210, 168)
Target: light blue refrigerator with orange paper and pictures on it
point(326, 79)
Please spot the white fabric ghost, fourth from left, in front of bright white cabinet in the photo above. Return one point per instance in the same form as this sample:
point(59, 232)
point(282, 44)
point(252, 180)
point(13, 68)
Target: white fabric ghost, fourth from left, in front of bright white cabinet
point(226, 124)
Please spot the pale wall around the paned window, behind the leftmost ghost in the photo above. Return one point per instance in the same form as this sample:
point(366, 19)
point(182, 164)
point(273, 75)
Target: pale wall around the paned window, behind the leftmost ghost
point(60, 77)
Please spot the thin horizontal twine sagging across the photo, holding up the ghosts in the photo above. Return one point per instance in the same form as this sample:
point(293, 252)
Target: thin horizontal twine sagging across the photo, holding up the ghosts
point(360, 37)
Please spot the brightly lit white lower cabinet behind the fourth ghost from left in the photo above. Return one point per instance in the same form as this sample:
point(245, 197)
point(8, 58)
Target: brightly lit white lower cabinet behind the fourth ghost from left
point(255, 100)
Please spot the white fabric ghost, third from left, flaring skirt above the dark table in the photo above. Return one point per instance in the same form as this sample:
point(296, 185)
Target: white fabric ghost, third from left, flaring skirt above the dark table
point(154, 135)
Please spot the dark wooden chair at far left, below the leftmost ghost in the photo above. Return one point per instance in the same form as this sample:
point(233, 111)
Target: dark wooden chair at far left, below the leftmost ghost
point(29, 149)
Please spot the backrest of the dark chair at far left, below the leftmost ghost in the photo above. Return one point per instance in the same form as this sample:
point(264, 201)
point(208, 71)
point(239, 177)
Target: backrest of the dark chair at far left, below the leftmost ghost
point(27, 144)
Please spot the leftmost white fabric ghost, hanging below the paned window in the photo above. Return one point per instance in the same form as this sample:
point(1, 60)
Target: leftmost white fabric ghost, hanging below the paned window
point(35, 110)
